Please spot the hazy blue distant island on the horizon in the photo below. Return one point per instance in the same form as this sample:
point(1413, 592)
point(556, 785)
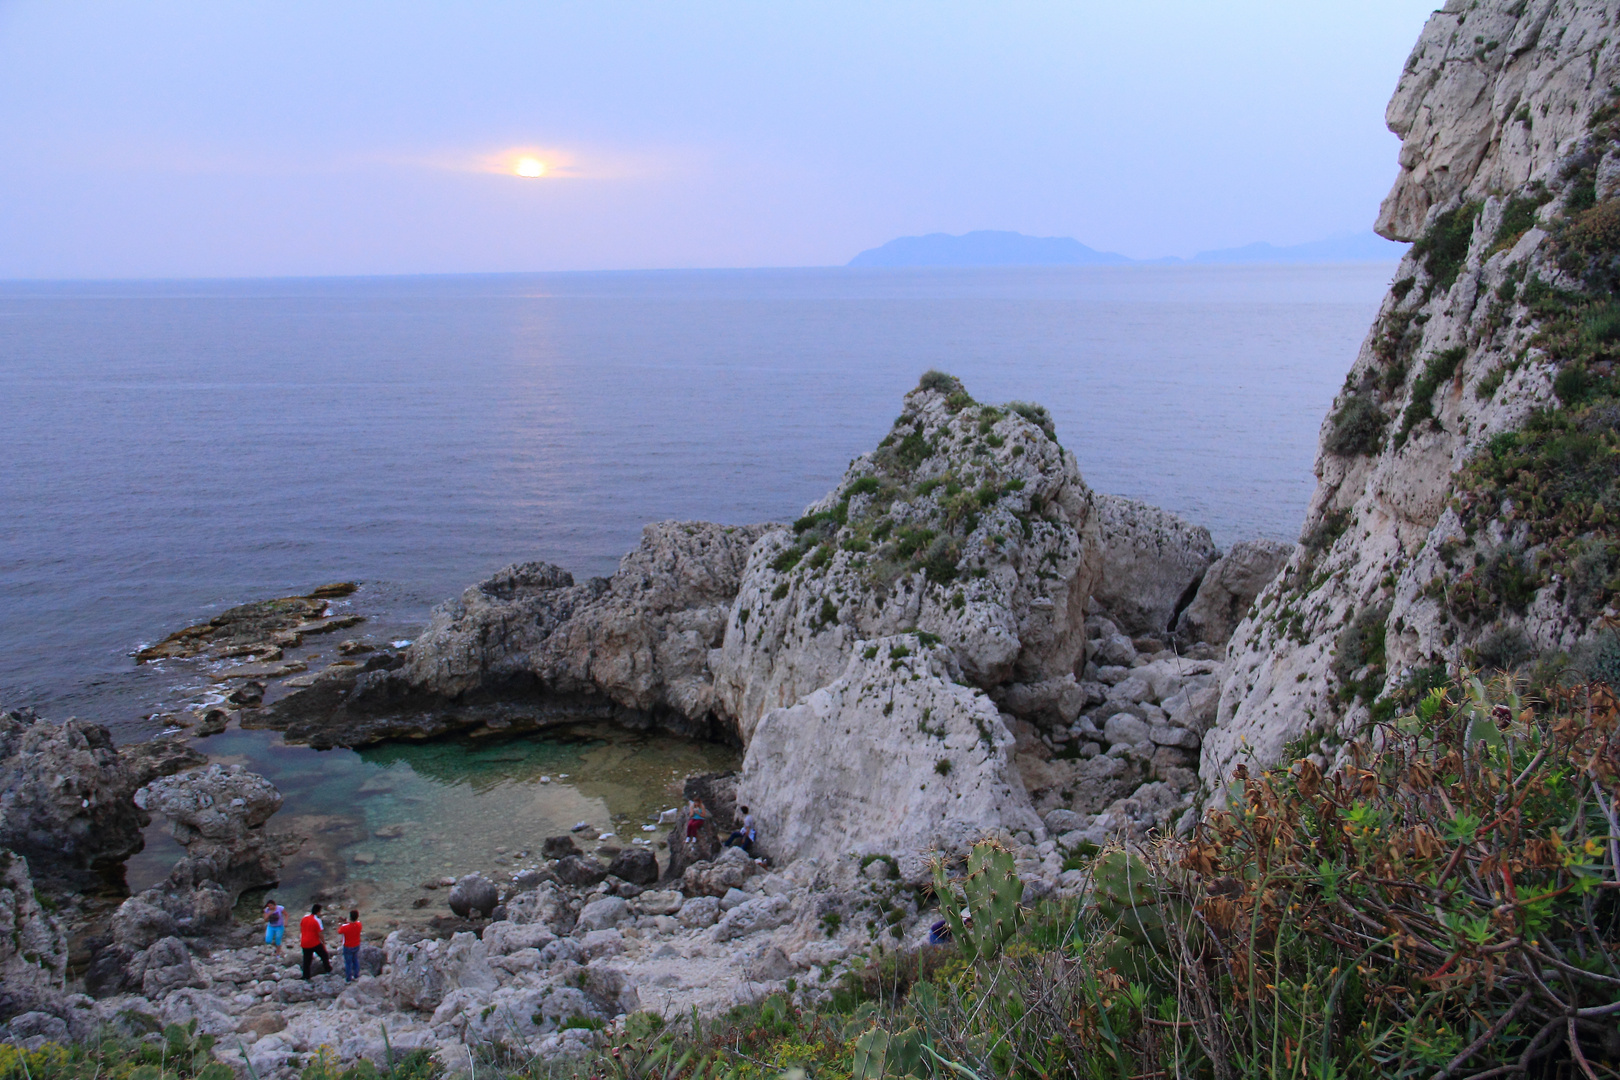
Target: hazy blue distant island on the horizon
point(1007, 249)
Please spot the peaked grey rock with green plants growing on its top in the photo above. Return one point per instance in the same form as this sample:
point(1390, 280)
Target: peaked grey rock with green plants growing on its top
point(968, 524)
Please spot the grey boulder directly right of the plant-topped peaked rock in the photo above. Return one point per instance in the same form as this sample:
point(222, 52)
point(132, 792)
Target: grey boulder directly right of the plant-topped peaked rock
point(1151, 564)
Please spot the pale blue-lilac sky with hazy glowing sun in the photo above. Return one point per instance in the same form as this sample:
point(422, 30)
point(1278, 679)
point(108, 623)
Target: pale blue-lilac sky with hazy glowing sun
point(224, 138)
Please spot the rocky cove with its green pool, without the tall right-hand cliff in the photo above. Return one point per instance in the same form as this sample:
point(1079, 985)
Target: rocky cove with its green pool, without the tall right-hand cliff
point(960, 642)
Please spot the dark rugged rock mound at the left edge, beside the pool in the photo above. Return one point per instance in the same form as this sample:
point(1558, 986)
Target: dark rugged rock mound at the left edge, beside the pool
point(66, 796)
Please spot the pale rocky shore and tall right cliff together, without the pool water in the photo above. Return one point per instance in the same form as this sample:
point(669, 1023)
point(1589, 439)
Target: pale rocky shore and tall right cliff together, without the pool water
point(960, 642)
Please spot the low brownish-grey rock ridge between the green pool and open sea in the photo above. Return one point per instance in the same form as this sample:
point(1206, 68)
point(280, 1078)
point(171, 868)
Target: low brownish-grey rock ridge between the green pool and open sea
point(529, 647)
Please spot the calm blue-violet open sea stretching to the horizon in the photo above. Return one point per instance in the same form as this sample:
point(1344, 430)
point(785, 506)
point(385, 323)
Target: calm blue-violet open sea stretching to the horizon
point(171, 449)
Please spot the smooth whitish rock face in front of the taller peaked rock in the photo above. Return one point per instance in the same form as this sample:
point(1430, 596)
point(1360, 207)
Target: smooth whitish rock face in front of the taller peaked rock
point(893, 757)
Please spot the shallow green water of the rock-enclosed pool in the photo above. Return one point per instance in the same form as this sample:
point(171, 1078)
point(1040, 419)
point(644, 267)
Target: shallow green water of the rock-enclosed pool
point(386, 820)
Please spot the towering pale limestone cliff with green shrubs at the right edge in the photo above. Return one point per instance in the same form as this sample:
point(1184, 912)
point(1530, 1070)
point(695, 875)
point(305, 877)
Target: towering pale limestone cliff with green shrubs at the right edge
point(1467, 500)
